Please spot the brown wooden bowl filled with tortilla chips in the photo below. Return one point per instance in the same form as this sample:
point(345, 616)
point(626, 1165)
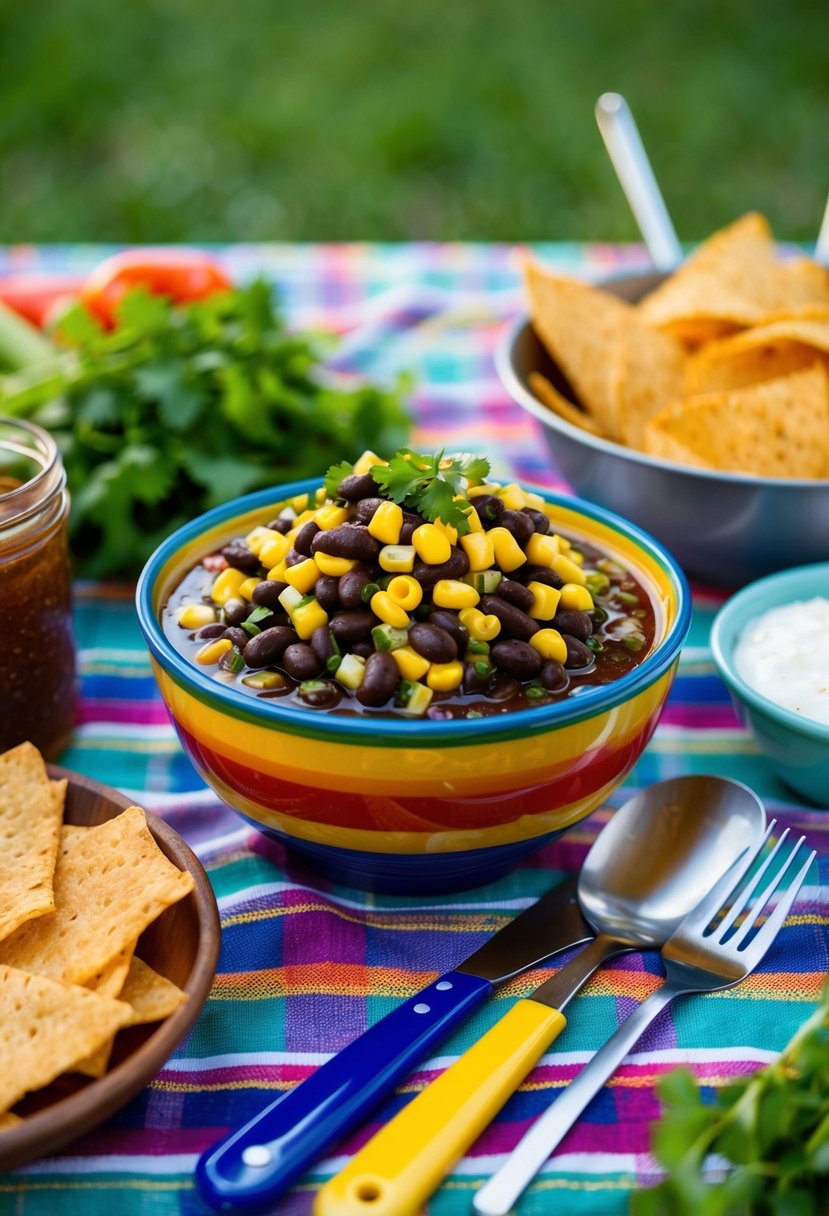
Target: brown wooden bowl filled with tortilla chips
point(109, 945)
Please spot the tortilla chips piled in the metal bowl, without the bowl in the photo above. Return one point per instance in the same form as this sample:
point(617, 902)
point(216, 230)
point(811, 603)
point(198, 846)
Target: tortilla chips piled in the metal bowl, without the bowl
point(724, 367)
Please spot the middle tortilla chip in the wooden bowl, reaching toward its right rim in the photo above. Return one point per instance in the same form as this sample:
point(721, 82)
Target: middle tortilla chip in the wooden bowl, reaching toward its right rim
point(109, 888)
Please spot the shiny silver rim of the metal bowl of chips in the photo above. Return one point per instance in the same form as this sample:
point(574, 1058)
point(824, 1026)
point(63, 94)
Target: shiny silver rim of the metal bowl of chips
point(505, 364)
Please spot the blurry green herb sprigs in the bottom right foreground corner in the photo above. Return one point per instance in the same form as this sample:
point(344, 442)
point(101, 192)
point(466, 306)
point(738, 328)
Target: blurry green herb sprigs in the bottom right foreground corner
point(770, 1133)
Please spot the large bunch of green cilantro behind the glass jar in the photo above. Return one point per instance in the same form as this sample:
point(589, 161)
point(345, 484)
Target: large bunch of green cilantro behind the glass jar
point(179, 409)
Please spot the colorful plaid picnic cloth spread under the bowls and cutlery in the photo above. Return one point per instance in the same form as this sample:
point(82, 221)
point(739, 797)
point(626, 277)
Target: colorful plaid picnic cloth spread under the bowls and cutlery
point(307, 966)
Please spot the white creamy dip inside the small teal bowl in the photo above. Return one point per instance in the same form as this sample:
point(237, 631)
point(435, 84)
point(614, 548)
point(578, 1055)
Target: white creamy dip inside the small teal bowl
point(785, 656)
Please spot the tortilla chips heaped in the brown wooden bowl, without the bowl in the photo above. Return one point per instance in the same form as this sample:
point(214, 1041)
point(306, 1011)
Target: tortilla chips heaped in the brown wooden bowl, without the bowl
point(74, 903)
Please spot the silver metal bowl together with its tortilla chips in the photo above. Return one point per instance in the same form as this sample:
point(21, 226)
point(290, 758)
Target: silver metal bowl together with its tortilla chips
point(696, 404)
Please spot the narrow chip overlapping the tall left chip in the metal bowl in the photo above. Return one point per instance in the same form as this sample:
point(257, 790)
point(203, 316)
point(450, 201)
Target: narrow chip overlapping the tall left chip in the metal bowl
point(648, 371)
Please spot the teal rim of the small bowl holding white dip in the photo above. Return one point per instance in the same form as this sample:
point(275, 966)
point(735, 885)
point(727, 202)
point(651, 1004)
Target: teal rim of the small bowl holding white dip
point(724, 652)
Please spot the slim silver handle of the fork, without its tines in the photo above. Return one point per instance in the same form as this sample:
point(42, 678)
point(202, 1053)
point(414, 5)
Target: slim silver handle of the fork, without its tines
point(498, 1197)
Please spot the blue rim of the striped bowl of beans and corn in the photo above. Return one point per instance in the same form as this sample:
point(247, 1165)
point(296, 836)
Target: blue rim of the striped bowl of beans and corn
point(379, 731)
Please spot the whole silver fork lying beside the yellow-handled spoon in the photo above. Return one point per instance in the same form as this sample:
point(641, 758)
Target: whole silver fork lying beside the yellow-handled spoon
point(720, 943)
